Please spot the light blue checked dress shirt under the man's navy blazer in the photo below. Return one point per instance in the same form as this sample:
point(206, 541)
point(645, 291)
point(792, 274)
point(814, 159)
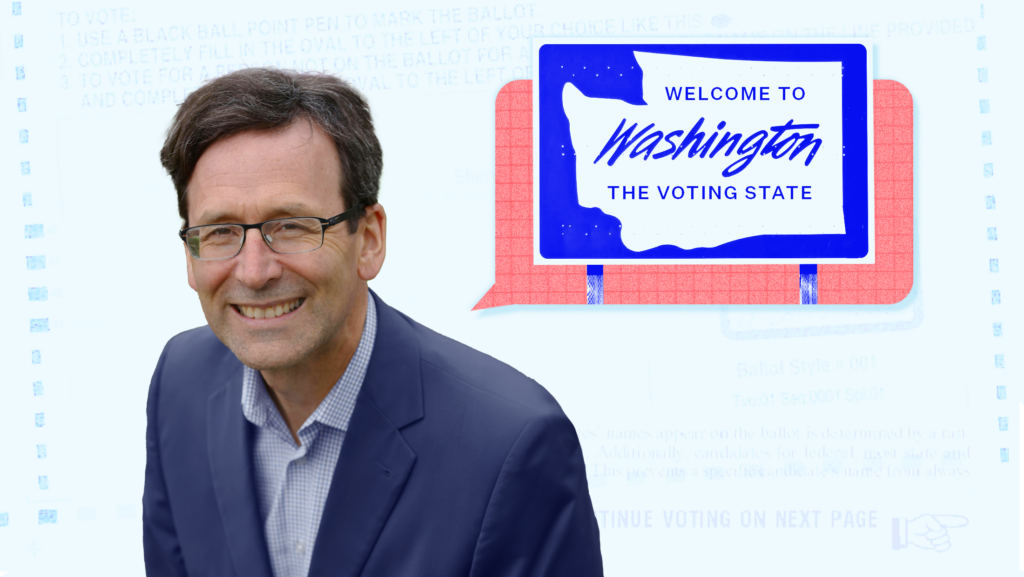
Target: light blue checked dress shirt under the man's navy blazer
point(293, 481)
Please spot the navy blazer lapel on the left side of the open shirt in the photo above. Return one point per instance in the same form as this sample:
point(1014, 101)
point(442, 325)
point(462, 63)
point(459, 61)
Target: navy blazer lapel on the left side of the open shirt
point(230, 447)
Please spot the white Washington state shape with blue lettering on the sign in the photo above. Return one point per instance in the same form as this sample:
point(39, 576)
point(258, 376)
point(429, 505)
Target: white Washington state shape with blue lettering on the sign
point(674, 171)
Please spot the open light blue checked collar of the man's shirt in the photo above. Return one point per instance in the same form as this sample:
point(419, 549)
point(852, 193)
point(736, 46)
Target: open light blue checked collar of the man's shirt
point(336, 409)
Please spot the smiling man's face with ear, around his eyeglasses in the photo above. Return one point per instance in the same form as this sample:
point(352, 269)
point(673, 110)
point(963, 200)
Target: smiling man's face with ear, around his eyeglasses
point(257, 177)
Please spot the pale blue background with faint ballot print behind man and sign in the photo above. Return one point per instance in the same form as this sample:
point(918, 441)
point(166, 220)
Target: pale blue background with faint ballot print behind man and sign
point(635, 372)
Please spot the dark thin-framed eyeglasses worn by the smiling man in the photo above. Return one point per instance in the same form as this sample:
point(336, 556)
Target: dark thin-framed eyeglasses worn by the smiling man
point(284, 236)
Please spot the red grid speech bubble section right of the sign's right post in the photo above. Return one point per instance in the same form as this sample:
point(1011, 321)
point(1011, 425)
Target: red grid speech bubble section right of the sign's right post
point(890, 279)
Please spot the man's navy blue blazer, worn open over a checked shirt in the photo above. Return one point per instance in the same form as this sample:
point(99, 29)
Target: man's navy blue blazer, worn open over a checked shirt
point(454, 465)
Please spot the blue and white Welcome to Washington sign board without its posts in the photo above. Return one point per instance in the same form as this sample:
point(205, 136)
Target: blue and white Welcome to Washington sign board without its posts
point(705, 152)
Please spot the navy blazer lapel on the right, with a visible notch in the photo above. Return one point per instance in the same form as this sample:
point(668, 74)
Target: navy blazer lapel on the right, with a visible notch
point(375, 461)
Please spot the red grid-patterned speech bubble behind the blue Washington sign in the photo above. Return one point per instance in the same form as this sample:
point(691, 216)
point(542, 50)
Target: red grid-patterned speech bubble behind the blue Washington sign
point(519, 281)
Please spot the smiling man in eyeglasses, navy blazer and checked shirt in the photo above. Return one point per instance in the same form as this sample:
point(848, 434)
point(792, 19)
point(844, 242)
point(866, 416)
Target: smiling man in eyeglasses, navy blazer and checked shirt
point(311, 429)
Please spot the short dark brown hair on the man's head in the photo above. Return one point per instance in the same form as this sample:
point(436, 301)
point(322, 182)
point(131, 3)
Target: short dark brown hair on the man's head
point(264, 99)
